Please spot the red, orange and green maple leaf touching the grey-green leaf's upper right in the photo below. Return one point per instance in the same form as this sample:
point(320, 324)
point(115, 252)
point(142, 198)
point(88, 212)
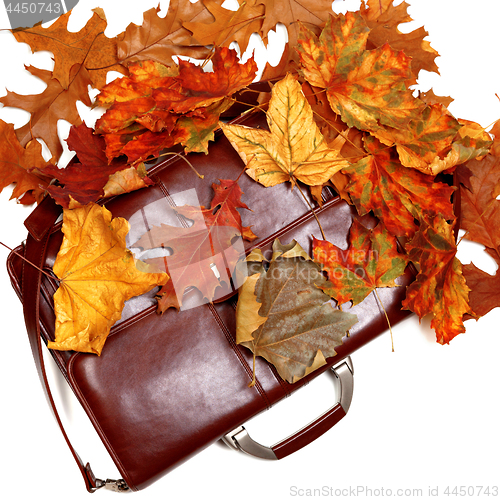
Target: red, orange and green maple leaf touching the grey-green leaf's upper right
point(371, 261)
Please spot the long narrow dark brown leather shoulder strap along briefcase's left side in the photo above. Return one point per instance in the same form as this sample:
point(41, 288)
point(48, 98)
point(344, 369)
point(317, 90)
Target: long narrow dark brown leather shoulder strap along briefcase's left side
point(36, 246)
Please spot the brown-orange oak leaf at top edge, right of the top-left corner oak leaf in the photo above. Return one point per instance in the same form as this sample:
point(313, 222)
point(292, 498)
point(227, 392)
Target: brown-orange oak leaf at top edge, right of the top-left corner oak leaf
point(160, 38)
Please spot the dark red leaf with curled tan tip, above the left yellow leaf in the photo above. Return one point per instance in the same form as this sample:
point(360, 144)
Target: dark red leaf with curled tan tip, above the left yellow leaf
point(92, 178)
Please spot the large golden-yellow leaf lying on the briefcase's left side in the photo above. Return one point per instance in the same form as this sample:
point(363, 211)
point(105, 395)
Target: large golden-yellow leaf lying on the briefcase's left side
point(97, 275)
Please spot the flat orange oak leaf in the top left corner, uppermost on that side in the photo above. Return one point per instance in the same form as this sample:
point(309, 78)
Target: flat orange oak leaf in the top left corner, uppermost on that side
point(89, 47)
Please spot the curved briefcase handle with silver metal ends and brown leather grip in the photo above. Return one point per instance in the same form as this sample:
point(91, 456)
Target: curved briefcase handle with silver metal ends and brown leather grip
point(240, 440)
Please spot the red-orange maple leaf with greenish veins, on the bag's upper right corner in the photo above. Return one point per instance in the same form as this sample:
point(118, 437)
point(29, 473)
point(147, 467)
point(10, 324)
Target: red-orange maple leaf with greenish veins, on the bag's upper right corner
point(397, 195)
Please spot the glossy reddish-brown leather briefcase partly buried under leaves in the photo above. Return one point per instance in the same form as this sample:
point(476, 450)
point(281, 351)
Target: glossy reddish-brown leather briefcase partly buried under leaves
point(167, 386)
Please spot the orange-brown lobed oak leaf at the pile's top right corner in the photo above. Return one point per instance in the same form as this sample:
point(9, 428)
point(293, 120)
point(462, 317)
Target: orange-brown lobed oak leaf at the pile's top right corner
point(384, 19)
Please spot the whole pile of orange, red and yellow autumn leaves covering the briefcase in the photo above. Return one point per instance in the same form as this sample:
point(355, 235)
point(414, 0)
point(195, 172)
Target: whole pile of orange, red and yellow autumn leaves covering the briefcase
point(340, 113)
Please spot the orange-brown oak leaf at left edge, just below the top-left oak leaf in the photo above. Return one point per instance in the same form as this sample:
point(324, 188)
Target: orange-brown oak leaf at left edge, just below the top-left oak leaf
point(53, 104)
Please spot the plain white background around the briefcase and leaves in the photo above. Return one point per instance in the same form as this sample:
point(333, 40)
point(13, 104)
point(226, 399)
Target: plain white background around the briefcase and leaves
point(424, 416)
